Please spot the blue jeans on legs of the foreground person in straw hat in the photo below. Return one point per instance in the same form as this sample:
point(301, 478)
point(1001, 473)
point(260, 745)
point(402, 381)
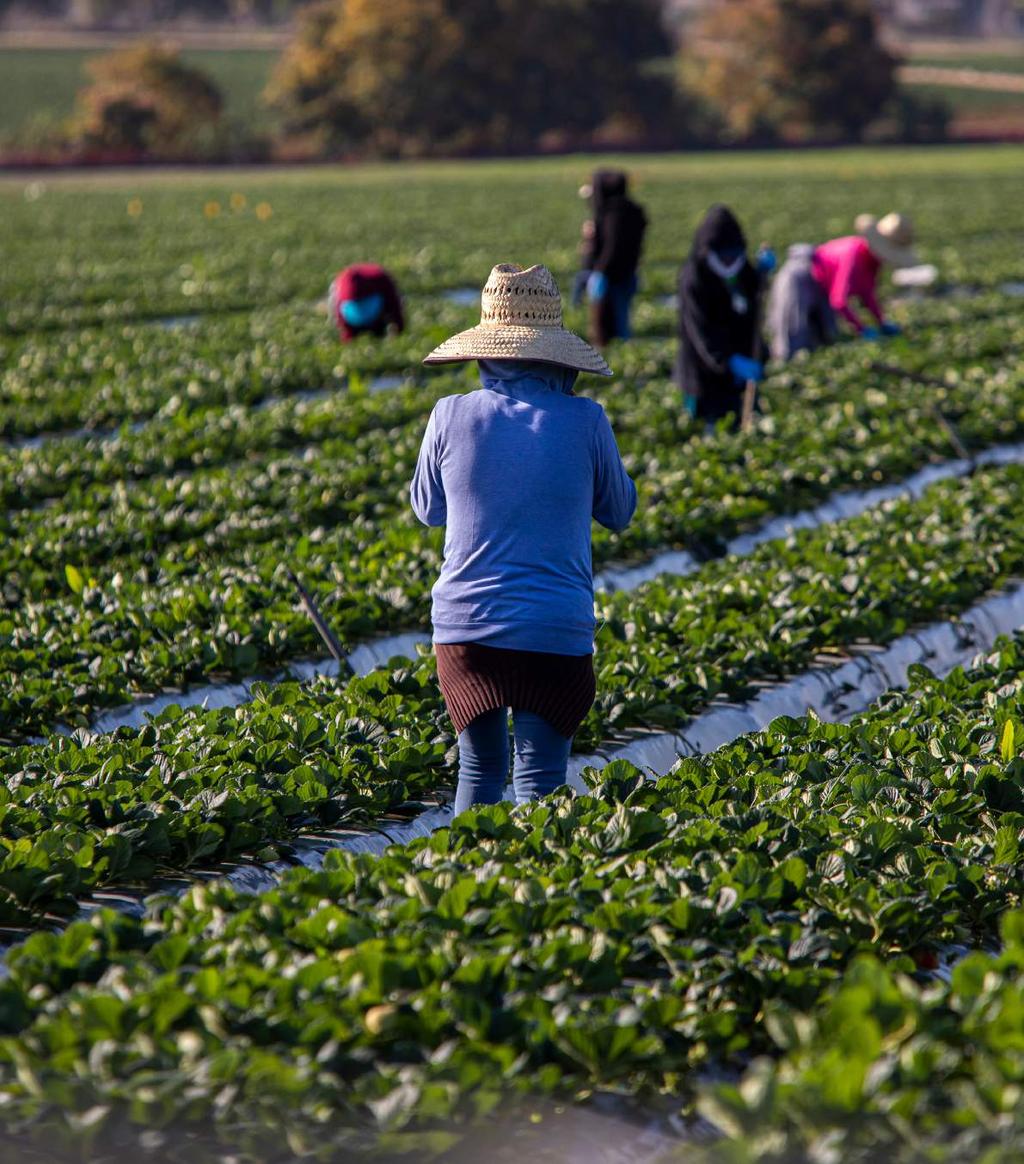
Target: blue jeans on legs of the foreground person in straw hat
point(542, 760)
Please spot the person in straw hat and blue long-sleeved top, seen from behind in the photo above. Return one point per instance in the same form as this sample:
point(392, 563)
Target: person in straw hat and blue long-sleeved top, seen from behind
point(517, 471)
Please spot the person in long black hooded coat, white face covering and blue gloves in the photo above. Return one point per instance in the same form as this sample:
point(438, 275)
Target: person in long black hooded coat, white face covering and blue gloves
point(721, 347)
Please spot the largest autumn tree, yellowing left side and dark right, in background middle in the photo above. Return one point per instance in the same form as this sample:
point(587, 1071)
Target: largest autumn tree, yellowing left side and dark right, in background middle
point(430, 76)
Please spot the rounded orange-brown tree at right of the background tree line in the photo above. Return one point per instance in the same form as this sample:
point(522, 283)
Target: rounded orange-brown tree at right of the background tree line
point(799, 68)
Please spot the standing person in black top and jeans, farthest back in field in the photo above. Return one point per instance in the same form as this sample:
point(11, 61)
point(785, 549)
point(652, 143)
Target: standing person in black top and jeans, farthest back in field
point(611, 253)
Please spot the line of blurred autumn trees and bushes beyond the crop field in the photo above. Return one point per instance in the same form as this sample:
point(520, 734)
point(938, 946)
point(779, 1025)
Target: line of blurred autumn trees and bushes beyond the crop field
point(402, 79)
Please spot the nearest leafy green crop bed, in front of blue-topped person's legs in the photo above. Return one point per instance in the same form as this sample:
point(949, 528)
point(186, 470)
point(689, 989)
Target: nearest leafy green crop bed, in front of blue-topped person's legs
point(620, 942)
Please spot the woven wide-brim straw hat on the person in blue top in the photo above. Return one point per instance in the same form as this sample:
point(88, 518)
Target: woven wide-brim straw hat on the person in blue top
point(522, 320)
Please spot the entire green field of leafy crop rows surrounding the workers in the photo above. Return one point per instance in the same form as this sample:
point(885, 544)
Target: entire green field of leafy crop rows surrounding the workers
point(750, 939)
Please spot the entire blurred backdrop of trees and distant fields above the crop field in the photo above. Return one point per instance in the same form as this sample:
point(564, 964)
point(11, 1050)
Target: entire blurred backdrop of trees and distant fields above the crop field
point(294, 81)
